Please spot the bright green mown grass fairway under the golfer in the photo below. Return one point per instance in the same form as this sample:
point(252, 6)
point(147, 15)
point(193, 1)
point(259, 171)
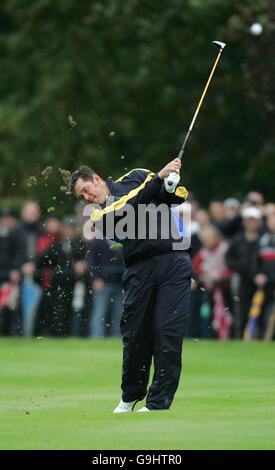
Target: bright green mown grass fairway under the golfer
point(59, 394)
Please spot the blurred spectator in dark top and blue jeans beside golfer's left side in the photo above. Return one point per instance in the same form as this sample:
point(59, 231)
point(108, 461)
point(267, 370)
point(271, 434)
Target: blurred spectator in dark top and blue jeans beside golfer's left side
point(105, 267)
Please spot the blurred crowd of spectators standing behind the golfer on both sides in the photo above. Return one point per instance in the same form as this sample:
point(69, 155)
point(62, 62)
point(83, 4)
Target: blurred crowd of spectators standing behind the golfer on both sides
point(53, 282)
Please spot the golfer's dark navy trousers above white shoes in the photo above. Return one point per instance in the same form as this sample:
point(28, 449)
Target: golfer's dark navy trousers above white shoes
point(156, 305)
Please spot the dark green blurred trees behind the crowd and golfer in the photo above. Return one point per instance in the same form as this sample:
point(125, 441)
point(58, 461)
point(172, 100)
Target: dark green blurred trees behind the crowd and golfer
point(114, 84)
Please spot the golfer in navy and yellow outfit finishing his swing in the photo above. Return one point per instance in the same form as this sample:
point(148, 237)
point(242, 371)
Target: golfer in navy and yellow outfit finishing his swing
point(156, 284)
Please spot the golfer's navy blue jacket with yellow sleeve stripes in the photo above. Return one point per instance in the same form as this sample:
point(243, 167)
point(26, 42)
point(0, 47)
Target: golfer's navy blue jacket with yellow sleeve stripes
point(137, 187)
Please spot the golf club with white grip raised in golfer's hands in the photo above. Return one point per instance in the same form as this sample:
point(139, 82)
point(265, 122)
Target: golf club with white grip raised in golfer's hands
point(173, 177)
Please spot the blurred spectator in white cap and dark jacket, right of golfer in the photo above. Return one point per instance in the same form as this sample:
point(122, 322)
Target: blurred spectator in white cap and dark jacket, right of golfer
point(241, 258)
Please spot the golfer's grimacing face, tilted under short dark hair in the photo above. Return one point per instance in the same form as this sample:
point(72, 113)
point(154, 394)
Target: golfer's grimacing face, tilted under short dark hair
point(93, 191)
